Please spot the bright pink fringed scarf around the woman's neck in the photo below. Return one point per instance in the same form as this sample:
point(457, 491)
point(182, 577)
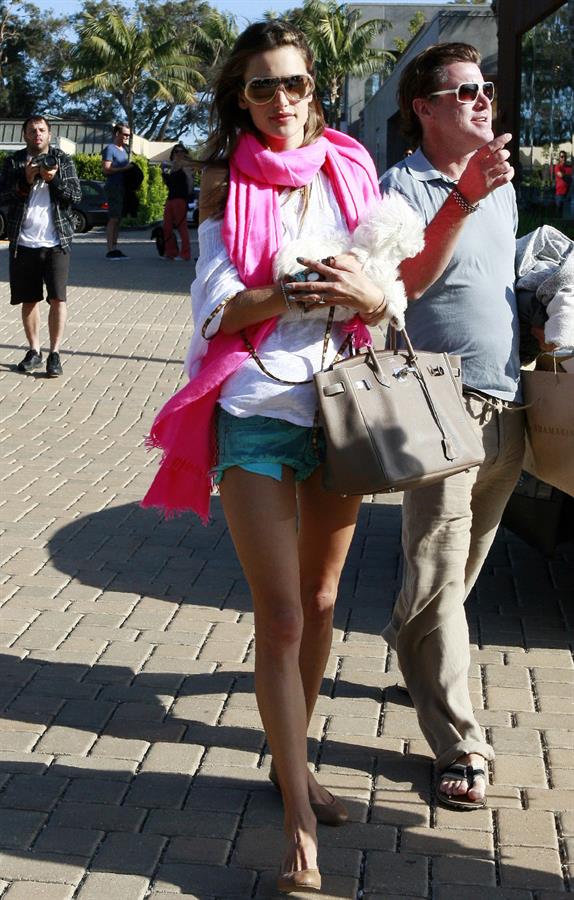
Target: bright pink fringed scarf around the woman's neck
point(183, 428)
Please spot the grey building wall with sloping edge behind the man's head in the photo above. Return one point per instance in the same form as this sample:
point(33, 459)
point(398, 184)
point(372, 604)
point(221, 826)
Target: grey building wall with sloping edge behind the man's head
point(380, 125)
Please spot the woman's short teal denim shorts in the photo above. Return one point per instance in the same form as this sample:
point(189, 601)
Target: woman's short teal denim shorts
point(263, 445)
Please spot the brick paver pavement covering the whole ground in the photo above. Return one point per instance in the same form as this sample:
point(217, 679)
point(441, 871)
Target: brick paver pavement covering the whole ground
point(132, 762)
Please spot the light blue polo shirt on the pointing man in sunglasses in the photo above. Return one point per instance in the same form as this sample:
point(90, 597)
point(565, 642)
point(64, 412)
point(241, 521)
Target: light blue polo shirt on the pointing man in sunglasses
point(471, 309)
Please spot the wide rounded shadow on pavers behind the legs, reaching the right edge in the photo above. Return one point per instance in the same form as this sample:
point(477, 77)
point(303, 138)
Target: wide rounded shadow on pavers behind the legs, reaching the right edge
point(128, 549)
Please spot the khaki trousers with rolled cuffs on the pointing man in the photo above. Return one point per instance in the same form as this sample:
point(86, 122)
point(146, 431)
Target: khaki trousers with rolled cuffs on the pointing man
point(447, 531)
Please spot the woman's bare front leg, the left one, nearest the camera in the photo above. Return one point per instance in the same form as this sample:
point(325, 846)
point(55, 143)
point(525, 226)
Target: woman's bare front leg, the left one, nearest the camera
point(262, 518)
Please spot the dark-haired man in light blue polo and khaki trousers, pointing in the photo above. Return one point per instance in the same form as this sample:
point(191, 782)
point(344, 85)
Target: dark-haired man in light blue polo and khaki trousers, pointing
point(463, 302)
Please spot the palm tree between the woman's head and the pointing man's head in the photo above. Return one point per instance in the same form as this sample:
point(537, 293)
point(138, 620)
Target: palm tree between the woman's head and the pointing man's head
point(342, 47)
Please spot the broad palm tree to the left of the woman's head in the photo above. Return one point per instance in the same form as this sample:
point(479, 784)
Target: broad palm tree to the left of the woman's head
point(127, 59)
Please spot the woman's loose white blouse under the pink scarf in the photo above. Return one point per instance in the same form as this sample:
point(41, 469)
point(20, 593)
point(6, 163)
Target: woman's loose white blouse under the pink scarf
point(294, 348)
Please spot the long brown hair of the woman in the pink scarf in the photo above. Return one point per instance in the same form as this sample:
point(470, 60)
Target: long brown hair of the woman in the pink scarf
point(227, 119)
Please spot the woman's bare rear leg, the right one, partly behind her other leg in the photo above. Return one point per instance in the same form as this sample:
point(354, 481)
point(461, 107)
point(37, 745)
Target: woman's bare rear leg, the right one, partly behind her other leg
point(327, 525)
